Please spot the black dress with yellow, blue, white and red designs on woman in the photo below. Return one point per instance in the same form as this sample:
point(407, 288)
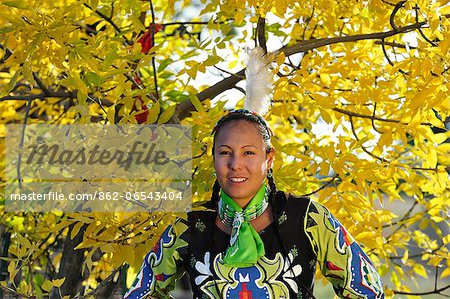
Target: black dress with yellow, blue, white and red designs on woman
point(303, 235)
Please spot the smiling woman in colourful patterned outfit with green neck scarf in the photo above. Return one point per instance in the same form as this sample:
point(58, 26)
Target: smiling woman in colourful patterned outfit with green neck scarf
point(251, 240)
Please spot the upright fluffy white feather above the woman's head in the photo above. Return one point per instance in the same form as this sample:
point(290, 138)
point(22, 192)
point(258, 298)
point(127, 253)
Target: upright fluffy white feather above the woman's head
point(258, 85)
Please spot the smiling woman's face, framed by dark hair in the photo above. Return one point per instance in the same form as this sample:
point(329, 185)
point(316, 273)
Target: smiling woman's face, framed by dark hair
point(240, 160)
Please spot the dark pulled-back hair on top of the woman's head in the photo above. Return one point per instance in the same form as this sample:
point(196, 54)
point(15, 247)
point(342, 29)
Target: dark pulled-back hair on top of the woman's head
point(247, 115)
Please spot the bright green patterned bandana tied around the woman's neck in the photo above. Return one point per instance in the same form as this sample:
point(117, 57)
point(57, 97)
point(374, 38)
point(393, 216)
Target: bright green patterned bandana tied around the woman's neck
point(246, 246)
